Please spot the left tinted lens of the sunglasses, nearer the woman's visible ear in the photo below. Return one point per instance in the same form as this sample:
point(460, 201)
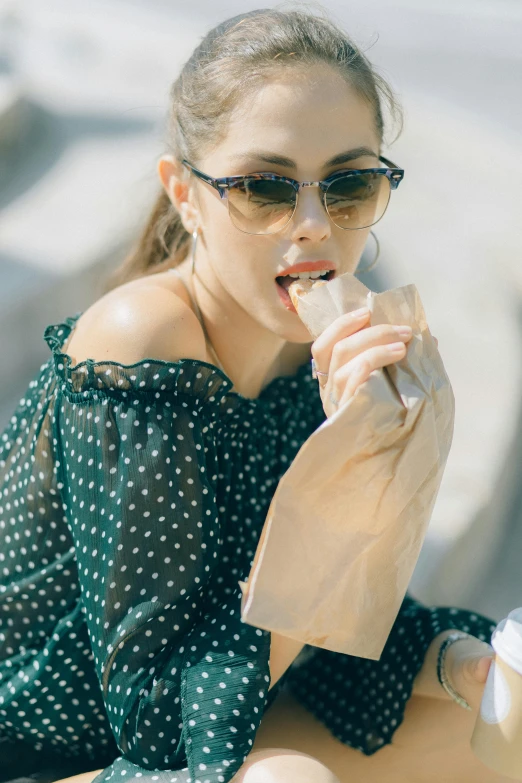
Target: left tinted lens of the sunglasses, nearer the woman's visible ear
point(261, 206)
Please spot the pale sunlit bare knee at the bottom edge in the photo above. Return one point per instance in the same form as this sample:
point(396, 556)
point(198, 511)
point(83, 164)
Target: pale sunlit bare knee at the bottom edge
point(279, 765)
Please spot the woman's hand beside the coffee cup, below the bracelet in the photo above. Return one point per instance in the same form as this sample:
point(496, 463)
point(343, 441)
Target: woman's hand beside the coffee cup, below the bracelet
point(467, 667)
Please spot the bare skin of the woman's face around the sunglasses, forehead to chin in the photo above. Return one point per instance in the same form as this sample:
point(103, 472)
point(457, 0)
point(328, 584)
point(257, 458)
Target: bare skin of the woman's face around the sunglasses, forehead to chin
point(307, 120)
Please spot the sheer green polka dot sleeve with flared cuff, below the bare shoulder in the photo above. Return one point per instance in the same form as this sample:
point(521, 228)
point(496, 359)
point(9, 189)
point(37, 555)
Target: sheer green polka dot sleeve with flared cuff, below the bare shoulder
point(139, 475)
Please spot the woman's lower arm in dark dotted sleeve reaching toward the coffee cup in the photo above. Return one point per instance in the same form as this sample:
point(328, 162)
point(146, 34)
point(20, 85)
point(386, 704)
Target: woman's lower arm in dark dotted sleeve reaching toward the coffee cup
point(375, 693)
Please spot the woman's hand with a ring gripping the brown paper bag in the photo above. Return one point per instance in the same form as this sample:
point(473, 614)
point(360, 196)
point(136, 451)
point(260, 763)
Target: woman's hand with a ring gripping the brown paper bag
point(349, 351)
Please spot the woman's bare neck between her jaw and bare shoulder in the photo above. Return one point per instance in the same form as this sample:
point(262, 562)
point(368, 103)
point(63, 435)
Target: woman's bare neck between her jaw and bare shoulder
point(251, 355)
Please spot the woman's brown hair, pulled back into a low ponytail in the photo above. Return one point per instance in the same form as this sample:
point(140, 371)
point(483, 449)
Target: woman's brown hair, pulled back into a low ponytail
point(230, 62)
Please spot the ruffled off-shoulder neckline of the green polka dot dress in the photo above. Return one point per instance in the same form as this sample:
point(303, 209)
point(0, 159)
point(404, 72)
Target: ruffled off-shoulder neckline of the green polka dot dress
point(194, 377)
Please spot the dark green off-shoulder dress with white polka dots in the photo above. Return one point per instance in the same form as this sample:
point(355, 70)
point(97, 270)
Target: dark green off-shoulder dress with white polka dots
point(132, 499)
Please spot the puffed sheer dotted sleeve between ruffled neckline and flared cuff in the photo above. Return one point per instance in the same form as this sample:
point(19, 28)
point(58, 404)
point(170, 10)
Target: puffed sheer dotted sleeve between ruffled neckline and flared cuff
point(143, 516)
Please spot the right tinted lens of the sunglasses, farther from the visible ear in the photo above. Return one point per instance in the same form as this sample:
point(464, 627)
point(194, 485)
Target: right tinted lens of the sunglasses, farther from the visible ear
point(358, 200)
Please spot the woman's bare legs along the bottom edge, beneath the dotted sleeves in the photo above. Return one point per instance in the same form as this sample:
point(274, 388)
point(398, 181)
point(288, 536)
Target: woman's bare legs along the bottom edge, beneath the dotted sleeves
point(432, 744)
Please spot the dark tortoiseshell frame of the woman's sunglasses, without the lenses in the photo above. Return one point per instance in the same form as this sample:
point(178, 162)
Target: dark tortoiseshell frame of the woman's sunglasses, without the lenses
point(393, 173)
